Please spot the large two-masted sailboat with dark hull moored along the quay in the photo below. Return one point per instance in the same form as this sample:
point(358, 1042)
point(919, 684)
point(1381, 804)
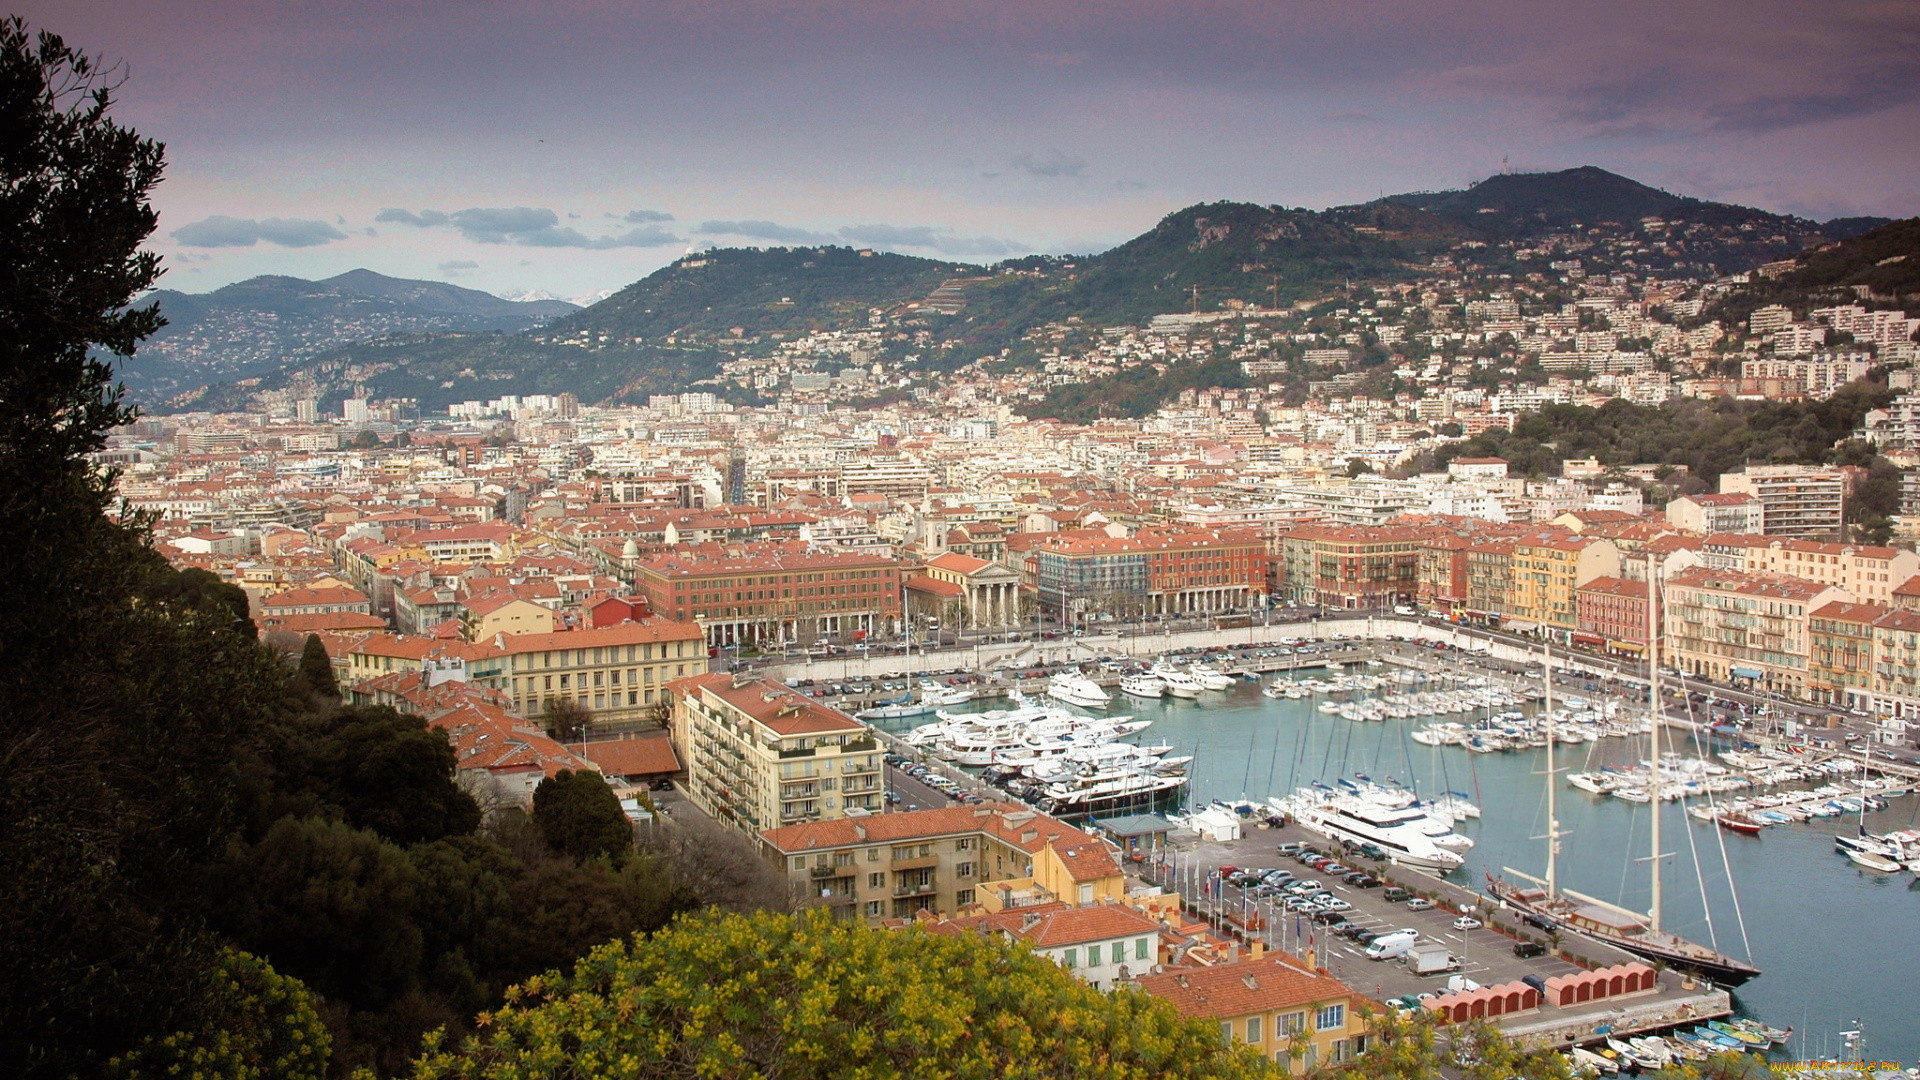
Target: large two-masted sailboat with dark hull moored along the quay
point(1598, 920)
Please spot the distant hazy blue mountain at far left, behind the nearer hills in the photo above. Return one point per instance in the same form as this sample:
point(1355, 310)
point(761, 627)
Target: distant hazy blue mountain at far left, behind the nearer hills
point(270, 324)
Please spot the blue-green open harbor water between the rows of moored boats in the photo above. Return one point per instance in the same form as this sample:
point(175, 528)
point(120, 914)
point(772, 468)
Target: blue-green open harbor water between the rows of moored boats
point(1836, 945)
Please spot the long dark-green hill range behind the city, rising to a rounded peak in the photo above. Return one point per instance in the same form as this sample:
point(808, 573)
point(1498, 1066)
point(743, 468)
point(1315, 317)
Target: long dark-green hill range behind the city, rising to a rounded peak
point(1209, 257)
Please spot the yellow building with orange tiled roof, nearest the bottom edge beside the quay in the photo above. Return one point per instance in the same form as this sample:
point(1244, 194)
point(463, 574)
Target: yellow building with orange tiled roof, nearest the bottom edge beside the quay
point(1274, 1004)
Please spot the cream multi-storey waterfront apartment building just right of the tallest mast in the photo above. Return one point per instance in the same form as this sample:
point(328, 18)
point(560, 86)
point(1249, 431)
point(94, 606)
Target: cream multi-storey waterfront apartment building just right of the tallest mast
point(1754, 629)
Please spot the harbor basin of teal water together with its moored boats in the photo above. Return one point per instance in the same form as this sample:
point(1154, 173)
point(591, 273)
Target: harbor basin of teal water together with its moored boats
point(1802, 912)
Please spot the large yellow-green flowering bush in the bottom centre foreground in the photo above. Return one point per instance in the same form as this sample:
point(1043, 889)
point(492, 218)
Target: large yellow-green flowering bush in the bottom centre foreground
point(775, 996)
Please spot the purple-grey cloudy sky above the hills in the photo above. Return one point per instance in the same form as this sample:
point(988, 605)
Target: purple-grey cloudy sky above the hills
point(573, 147)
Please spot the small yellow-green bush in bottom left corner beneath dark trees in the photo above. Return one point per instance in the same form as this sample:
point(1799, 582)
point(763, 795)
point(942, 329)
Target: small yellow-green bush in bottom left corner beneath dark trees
point(264, 1029)
